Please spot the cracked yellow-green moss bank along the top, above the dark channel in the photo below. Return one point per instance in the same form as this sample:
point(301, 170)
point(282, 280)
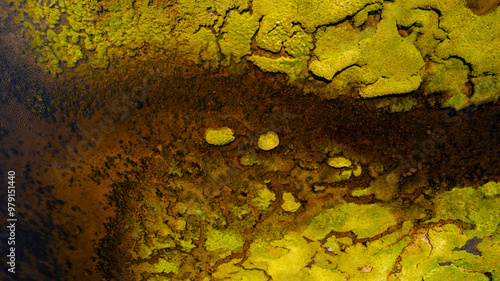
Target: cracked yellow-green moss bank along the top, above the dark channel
point(375, 47)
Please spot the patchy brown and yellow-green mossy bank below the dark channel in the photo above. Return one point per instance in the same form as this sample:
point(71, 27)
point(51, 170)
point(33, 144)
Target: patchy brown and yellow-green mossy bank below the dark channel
point(284, 217)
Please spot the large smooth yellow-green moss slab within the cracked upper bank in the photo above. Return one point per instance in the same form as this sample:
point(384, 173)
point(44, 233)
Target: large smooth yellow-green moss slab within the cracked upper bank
point(379, 72)
